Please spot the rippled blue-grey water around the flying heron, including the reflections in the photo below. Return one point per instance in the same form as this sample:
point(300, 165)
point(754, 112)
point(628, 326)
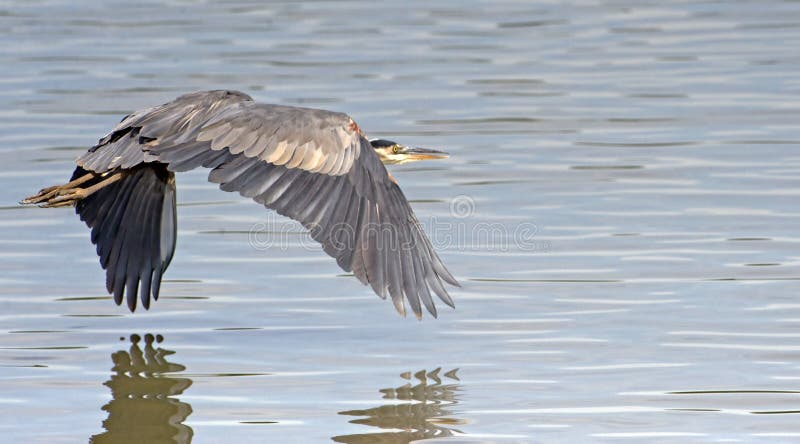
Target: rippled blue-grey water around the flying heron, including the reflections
point(621, 206)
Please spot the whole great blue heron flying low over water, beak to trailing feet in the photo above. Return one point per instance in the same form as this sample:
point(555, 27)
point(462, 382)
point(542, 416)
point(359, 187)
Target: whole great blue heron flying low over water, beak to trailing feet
point(312, 165)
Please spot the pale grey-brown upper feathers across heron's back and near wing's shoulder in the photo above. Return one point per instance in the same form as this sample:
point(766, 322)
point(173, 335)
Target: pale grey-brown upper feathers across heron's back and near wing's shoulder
point(313, 140)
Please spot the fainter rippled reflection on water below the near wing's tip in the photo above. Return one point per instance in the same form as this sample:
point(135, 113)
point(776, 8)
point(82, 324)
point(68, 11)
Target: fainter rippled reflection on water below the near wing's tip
point(422, 414)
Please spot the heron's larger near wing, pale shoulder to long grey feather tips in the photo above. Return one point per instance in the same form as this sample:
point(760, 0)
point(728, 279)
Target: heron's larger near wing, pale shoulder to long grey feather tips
point(312, 165)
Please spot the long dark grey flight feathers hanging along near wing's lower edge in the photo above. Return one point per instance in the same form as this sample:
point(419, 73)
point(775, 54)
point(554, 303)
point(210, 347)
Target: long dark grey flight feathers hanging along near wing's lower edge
point(379, 240)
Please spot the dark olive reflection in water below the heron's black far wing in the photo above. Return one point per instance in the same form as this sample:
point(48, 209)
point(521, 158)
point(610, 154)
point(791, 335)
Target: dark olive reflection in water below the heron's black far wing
point(143, 408)
